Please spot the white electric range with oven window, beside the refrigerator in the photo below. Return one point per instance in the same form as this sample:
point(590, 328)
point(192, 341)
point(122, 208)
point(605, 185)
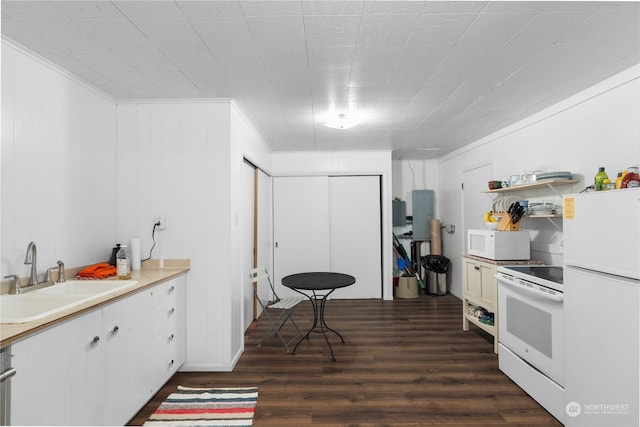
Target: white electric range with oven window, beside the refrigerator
point(531, 332)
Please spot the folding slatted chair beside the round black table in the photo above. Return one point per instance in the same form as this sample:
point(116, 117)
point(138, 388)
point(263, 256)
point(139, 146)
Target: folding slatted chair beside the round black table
point(278, 311)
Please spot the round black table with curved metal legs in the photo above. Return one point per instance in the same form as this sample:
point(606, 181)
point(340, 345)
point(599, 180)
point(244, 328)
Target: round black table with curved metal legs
point(321, 285)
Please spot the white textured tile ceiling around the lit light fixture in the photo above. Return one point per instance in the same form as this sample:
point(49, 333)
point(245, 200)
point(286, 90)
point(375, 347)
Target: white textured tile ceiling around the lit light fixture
point(429, 76)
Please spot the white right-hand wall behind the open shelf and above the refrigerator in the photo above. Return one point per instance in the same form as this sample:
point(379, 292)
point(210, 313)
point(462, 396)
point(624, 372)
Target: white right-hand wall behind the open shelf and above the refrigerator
point(597, 127)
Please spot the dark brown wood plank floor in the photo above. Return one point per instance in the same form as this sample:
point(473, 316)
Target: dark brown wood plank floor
point(405, 363)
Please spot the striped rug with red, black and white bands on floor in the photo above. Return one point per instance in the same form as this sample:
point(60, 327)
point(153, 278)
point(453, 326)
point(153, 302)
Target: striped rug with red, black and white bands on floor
point(206, 407)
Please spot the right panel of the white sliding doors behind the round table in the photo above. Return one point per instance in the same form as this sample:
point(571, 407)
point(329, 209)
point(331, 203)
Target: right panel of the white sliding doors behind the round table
point(354, 205)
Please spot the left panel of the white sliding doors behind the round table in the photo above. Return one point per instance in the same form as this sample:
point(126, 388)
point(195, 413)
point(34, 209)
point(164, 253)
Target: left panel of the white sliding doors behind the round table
point(300, 227)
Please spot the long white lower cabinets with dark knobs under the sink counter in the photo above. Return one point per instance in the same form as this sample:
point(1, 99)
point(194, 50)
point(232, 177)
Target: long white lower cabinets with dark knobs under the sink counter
point(101, 367)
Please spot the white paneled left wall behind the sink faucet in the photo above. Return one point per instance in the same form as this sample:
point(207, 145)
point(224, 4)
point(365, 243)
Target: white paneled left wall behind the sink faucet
point(58, 166)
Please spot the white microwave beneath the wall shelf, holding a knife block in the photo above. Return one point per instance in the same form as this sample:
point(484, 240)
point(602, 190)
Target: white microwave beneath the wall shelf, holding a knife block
point(499, 245)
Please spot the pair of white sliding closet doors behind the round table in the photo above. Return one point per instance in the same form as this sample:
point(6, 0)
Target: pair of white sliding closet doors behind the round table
point(329, 224)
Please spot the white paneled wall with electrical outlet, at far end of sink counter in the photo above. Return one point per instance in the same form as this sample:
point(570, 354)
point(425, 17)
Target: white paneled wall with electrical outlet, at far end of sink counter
point(184, 160)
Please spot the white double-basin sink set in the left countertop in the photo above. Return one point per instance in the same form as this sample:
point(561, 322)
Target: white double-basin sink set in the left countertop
point(44, 302)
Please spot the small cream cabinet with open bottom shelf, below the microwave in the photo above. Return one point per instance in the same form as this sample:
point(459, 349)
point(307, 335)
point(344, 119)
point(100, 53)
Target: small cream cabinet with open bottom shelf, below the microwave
point(480, 289)
